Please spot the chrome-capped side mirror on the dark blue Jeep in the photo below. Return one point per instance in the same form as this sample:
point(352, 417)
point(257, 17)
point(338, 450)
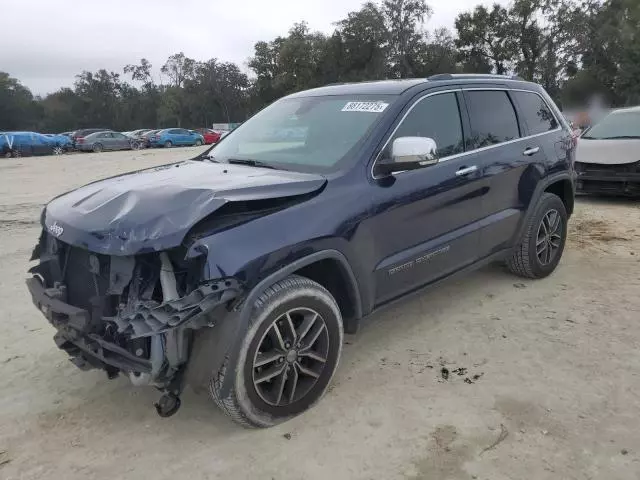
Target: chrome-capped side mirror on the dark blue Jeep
point(409, 153)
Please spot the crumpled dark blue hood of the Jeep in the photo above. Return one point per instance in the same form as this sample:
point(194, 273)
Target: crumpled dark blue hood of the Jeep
point(153, 209)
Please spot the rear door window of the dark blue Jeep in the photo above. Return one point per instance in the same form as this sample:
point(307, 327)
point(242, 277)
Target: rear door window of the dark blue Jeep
point(493, 118)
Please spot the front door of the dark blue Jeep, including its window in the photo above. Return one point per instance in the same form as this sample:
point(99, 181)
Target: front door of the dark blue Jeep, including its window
point(429, 219)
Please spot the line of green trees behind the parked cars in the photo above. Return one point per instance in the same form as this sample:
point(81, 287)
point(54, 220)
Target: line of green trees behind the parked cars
point(574, 48)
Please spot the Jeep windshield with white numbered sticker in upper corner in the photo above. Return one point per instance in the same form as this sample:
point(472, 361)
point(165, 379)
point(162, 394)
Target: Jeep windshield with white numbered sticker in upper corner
point(306, 133)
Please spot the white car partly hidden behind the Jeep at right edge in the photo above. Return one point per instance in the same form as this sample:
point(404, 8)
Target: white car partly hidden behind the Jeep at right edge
point(608, 155)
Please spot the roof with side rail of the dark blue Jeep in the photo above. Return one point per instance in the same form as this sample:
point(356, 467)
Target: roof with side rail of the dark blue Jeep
point(397, 87)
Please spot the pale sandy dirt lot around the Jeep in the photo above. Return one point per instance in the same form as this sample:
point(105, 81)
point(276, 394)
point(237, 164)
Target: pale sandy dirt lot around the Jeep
point(553, 369)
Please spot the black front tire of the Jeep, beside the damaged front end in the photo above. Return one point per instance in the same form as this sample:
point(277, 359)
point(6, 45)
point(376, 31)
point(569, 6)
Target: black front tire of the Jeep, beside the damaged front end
point(246, 403)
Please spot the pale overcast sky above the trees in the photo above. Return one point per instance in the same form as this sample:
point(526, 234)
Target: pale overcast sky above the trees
point(51, 41)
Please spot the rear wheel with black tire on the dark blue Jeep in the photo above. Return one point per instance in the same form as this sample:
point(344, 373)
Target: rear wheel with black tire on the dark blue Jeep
point(526, 260)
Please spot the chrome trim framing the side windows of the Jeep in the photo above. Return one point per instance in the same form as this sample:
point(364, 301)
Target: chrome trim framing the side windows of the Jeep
point(470, 152)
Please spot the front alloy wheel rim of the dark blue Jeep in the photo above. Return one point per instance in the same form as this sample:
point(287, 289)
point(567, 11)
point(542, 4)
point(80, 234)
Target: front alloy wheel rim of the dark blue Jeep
point(290, 357)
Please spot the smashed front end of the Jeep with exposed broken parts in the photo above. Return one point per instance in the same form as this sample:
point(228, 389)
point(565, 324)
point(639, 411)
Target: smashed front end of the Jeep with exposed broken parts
point(133, 315)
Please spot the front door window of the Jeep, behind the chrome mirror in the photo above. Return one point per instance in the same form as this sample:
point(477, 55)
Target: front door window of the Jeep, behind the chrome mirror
point(436, 117)
